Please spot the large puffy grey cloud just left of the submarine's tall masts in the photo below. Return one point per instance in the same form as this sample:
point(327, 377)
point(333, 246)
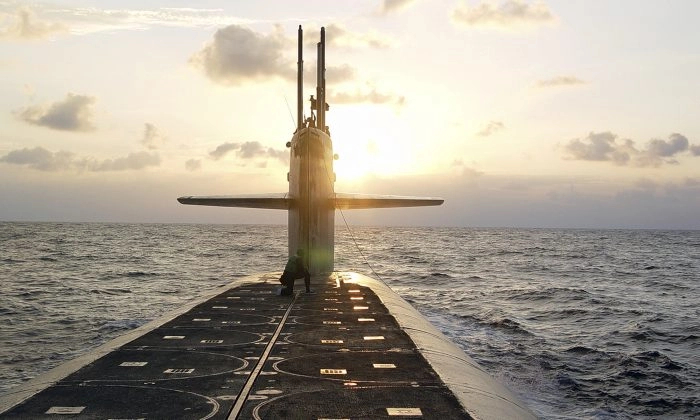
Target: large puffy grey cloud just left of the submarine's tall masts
point(238, 54)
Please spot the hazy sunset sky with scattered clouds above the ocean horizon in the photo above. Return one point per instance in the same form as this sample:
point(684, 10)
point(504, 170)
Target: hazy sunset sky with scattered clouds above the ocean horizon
point(571, 113)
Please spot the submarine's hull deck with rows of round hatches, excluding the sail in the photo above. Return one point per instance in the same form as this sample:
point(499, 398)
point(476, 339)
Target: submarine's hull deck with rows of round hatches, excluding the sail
point(248, 353)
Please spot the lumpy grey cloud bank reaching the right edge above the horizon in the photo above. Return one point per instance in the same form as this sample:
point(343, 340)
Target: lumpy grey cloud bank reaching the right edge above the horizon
point(606, 146)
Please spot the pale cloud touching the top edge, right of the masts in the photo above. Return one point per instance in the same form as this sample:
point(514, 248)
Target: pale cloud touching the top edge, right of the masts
point(507, 14)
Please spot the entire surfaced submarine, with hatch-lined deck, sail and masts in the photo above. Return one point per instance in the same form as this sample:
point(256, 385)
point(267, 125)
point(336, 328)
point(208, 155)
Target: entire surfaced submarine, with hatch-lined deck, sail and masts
point(352, 349)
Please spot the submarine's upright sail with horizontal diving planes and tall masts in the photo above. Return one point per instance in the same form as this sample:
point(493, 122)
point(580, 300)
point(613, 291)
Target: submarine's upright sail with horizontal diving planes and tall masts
point(311, 201)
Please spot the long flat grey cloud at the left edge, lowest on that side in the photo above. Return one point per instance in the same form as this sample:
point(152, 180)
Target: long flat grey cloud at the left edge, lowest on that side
point(44, 160)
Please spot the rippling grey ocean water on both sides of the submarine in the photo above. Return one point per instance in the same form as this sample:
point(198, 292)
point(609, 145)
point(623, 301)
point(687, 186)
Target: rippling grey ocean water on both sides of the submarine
point(601, 324)
